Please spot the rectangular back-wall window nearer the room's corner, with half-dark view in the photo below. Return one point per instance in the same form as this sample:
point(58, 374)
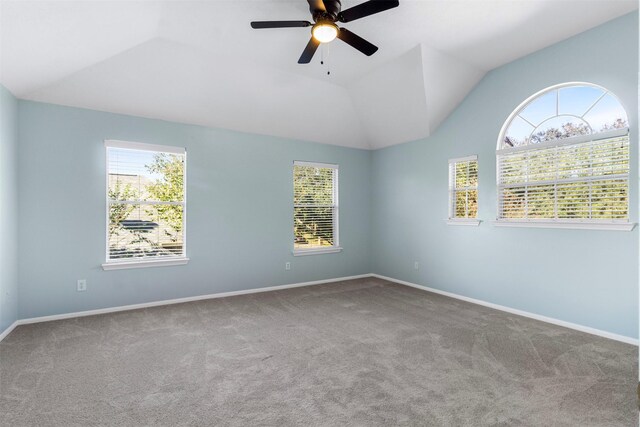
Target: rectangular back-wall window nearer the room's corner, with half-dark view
point(315, 208)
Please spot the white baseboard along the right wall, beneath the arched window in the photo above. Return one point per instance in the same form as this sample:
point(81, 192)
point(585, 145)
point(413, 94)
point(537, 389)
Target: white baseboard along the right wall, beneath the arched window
point(546, 319)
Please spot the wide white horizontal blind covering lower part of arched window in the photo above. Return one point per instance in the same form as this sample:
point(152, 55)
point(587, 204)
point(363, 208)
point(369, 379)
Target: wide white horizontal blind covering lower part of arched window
point(579, 179)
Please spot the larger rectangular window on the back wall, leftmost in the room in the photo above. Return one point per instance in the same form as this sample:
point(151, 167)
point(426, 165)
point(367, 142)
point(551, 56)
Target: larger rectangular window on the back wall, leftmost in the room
point(146, 206)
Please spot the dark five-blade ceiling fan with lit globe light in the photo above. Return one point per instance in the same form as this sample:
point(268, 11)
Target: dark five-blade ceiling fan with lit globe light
point(325, 14)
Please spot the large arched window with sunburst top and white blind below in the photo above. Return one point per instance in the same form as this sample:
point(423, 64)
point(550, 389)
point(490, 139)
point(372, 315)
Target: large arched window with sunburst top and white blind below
point(563, 160)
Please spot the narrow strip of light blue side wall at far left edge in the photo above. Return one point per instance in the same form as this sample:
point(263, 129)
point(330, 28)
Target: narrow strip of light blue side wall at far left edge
point(8, 209)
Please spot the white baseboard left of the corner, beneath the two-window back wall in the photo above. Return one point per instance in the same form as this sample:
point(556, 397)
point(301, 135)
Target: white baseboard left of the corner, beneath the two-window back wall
point(172, 301)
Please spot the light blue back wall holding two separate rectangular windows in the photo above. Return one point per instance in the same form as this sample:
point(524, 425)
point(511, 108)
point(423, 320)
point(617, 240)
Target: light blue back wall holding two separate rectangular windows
point(239, 221)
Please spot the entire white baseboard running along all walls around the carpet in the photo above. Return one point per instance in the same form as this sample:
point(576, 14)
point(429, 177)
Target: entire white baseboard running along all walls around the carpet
point(546, 319)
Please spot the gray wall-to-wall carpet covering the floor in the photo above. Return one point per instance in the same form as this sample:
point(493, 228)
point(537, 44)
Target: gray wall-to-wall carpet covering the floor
point(364, 352)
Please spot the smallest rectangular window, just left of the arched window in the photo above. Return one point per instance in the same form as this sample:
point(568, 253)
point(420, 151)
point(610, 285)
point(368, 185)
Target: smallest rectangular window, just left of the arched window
point(463, 191)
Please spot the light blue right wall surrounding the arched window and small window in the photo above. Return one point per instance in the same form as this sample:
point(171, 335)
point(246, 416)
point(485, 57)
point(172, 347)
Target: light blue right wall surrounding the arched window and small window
point(582, 276)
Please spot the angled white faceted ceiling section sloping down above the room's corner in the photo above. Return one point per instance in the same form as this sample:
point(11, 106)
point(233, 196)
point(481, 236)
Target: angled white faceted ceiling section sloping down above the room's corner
point(408, 98)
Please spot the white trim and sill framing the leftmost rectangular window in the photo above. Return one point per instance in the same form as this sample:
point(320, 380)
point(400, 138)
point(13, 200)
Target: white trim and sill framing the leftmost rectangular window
point(128, 263)
